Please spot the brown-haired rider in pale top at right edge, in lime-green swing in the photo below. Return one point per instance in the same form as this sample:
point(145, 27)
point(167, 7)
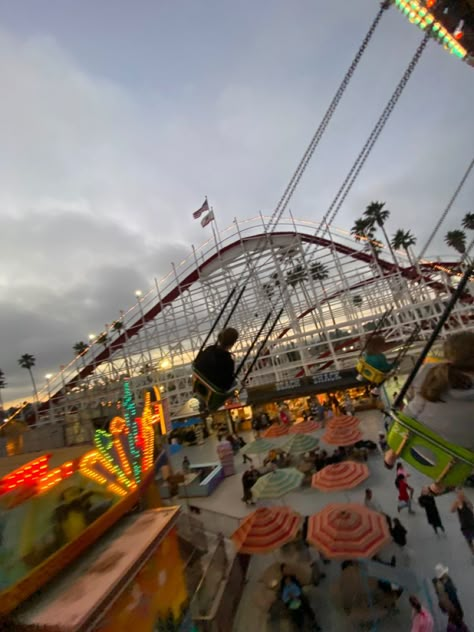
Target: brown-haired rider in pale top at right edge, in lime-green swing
point(443, 394)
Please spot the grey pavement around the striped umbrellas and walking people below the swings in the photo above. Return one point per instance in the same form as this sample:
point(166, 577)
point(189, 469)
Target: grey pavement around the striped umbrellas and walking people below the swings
point(424, 549)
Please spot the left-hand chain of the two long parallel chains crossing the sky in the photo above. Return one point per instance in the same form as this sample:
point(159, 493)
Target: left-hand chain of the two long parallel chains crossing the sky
point(295, 179)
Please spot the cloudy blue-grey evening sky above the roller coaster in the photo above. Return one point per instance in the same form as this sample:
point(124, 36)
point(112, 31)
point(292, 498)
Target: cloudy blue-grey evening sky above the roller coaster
point(117, 117)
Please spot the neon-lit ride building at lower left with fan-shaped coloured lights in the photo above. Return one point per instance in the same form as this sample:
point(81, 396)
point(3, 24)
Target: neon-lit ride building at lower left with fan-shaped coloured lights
point(51, 517)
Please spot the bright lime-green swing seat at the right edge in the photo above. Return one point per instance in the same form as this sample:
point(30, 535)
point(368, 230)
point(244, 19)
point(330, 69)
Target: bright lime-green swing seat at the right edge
point(429, 453)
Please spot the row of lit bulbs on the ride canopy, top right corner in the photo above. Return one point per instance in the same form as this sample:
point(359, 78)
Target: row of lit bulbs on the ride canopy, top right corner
point(451, 23)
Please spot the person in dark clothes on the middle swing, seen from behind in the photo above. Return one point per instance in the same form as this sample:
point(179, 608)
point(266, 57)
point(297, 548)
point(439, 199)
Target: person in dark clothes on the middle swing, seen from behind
point(216, 363)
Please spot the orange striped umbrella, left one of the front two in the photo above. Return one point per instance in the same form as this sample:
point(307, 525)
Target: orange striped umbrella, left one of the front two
point(266, 529)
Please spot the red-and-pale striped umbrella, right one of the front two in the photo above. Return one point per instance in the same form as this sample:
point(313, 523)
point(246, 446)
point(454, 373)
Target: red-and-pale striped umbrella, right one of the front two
point(348, 531)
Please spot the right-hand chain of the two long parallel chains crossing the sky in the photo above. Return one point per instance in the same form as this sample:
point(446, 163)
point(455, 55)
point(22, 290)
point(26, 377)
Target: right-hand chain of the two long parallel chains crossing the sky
point(366, 150)
